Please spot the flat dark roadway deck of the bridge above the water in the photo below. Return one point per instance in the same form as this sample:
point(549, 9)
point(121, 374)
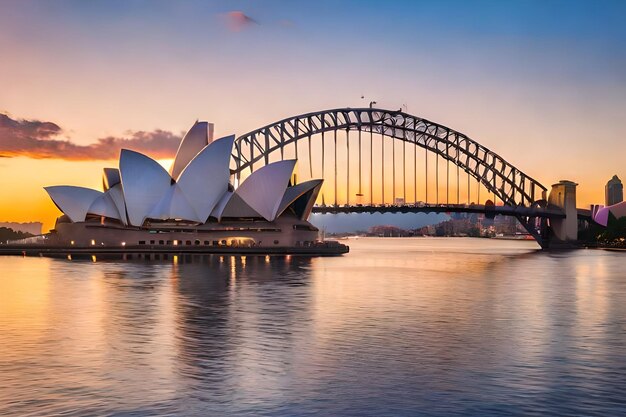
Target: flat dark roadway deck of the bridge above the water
point(443, 208)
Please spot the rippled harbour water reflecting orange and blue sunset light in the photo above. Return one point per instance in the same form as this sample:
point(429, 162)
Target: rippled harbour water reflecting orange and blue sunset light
point(397, 327)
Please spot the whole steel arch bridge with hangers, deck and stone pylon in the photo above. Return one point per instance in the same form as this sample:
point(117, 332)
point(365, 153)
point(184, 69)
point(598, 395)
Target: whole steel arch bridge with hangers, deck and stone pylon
point(377, 160)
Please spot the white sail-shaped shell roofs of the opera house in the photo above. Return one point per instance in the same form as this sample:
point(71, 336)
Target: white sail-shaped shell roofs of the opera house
point(195, 190)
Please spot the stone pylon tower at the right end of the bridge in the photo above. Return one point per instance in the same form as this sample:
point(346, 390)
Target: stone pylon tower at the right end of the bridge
point(563, 232)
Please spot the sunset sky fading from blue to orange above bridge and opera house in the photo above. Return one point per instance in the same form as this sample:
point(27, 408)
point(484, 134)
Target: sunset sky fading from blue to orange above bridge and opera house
point(542, 83)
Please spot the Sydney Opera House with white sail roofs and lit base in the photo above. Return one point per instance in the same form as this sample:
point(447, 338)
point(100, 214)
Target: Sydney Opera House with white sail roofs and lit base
point(194, 205)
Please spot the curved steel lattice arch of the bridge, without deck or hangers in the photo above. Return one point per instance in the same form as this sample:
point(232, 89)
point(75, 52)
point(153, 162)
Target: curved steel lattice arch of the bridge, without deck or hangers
point(509, 184)
